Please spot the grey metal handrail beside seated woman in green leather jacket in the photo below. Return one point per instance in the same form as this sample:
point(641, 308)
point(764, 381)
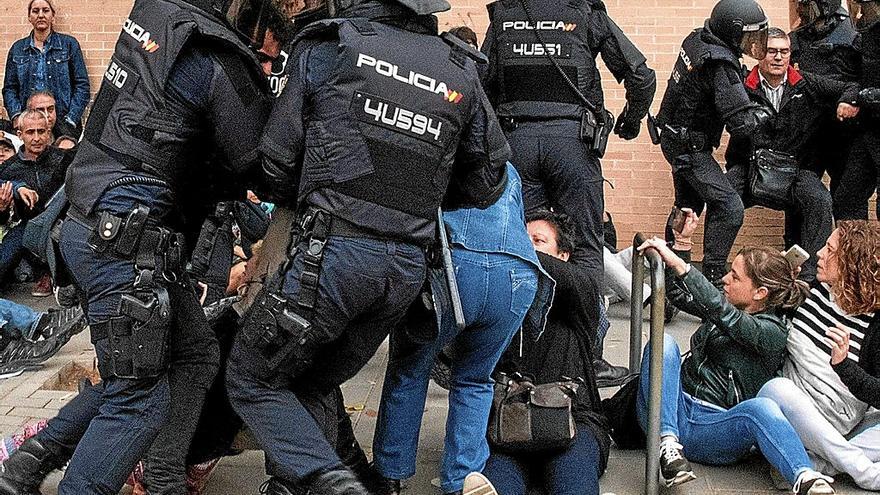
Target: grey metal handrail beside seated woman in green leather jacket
point(655, 340)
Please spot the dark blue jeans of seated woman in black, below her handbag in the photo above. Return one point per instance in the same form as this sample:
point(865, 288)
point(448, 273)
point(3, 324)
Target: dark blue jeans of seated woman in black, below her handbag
point(574, 471)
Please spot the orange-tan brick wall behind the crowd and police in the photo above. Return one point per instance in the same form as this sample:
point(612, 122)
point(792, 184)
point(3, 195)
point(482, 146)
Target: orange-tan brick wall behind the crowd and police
point(642, 194)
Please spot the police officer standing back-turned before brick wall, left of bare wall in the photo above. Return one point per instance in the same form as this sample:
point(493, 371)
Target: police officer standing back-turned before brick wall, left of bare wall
point(545, 86)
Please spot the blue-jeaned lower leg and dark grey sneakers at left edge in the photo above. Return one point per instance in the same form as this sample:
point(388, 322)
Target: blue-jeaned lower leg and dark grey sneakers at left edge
point(28, 337)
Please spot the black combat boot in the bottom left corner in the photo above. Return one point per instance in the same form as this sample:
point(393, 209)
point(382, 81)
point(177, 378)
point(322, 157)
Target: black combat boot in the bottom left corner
point(24, 471)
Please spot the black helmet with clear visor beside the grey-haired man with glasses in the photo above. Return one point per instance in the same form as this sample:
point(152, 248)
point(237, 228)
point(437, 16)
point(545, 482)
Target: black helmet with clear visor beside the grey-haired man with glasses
point(742, 25)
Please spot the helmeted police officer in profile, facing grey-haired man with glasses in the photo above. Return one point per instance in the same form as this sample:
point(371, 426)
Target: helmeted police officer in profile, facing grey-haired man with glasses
point(705, 92)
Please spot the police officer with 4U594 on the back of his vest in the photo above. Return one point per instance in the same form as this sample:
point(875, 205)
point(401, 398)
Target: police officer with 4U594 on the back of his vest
point(380, 121)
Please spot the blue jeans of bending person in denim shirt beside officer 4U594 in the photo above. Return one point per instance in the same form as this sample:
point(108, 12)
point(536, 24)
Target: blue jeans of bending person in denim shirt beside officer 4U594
point(496, 291)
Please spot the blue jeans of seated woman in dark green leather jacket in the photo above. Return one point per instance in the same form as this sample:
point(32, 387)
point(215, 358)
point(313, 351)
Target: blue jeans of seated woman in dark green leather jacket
point(712, 435)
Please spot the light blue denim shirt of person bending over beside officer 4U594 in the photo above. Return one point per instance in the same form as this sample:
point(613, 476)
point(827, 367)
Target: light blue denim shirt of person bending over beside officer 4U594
point(501, 228)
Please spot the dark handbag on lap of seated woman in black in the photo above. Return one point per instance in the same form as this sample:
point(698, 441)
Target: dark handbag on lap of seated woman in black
point(527, 418)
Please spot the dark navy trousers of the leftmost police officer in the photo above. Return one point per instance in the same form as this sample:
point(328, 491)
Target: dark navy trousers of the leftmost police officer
point(113, 425)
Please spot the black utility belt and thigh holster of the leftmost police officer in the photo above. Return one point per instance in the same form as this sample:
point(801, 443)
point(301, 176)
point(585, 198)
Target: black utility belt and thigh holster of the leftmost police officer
point(138, 335)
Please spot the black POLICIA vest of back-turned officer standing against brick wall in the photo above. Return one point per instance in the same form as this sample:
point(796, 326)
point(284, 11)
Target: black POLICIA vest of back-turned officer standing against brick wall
point(529, 84)
